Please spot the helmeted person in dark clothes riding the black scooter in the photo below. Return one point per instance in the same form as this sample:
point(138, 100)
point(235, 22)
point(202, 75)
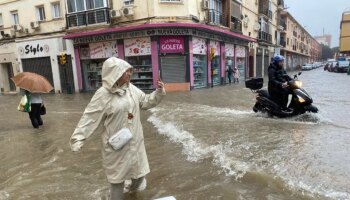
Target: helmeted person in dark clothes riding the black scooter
point(278, 82)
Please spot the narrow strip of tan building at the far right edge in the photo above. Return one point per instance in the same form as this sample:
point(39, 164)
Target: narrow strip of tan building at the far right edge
point(345, 35)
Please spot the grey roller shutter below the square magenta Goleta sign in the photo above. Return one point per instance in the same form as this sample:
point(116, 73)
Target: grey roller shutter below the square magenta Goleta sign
point(173, 69)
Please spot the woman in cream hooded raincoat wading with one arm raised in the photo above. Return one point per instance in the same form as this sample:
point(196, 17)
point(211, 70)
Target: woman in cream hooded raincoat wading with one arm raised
point(116, 105)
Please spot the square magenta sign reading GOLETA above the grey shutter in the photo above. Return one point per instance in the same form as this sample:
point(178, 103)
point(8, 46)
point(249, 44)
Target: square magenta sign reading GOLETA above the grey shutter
point(172, 44)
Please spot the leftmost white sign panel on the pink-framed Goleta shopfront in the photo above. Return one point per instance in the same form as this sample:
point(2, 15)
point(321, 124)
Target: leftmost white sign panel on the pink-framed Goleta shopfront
point(103, 50)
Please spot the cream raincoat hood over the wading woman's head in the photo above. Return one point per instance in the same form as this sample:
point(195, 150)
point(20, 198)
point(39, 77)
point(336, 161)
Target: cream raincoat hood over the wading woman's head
point(113, 68)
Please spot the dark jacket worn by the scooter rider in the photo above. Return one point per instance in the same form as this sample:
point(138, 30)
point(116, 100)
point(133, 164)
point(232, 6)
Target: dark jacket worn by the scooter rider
point(277, 77)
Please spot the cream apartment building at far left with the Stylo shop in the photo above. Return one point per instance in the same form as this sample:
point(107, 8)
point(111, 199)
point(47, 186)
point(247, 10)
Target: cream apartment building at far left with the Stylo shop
point(31, 39)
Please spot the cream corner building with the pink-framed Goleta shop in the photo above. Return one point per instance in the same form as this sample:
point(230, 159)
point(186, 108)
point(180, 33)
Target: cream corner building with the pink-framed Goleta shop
point(170, 38)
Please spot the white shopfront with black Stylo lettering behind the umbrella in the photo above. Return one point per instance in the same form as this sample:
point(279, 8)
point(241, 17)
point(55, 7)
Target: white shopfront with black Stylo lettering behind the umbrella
point(41, 56)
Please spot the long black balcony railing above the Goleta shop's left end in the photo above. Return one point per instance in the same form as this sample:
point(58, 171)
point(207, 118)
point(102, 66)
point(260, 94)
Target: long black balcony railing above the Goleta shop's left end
point(88, 17)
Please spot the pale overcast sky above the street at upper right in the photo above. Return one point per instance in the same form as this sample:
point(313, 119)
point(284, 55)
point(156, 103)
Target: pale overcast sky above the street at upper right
point(317, 15)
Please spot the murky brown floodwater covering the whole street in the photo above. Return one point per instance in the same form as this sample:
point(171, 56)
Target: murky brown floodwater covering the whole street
point(205, 144)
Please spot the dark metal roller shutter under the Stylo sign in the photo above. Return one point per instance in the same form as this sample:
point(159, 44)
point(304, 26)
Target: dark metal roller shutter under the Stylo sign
point(40, 66)
